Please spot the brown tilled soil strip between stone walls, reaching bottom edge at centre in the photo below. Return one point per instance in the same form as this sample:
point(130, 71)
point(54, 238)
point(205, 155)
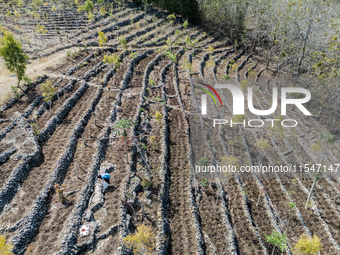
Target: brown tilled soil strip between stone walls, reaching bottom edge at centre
point(182, 233)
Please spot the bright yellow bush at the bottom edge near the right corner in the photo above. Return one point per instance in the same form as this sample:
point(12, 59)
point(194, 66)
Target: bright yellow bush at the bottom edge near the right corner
point(307, 245)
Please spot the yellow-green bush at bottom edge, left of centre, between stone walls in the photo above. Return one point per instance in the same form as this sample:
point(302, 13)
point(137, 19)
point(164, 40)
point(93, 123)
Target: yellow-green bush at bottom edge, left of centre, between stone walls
point(142, 241)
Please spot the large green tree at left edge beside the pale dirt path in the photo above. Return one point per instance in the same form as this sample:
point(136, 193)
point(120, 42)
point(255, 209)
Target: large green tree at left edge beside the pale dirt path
point(15, 58)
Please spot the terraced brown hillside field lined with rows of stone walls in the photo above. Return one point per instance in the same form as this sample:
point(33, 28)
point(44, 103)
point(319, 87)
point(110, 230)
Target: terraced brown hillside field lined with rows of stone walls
point(70, 140)
